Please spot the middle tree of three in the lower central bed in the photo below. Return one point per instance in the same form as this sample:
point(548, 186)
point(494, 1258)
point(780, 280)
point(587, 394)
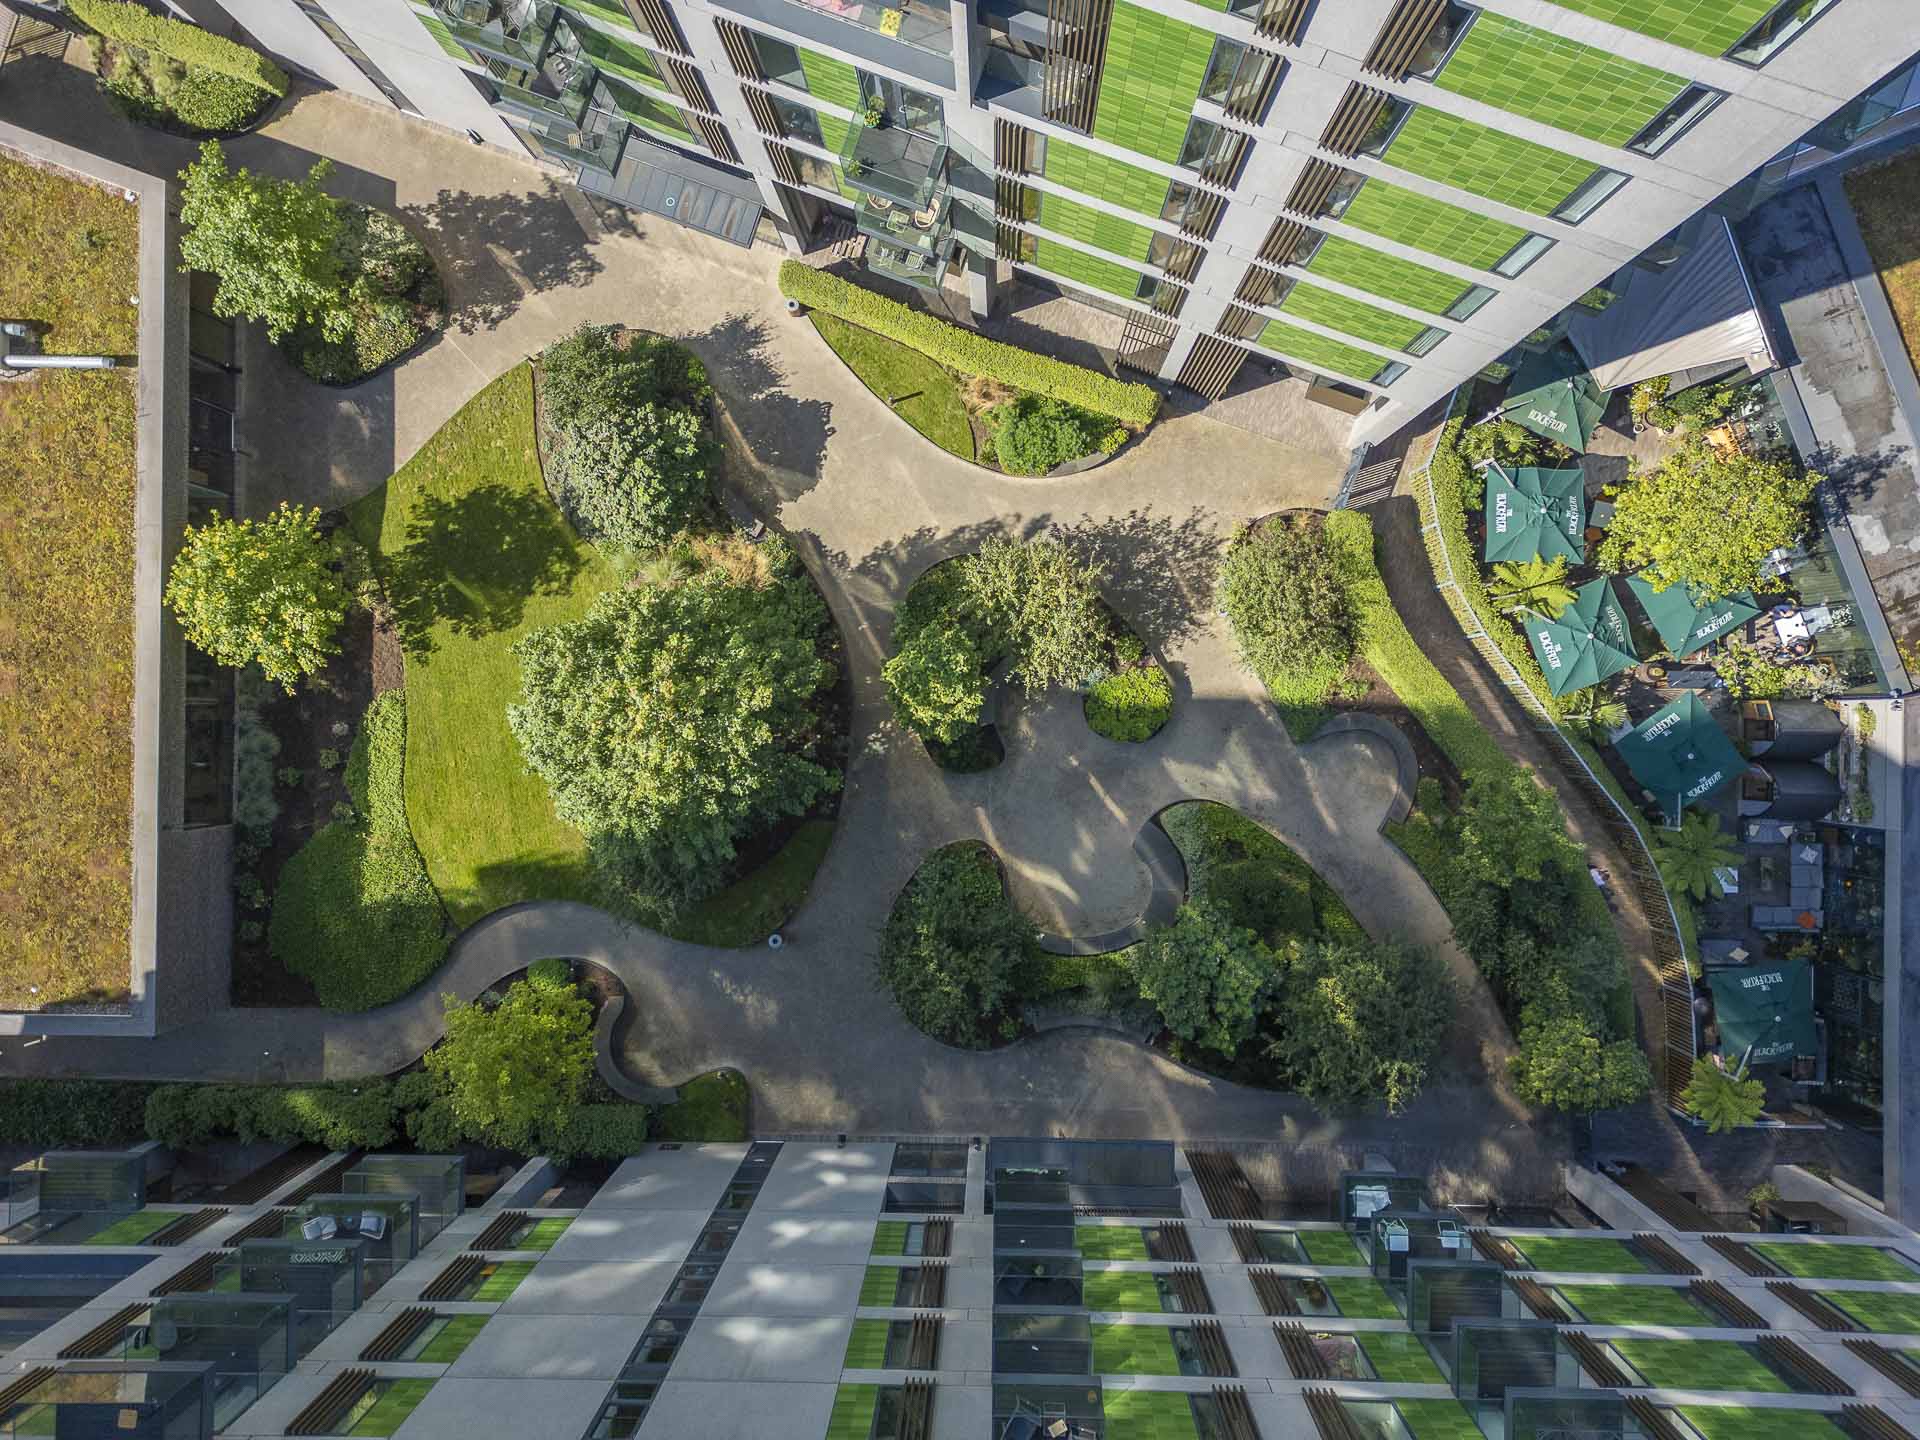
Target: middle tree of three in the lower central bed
point(1207, 976)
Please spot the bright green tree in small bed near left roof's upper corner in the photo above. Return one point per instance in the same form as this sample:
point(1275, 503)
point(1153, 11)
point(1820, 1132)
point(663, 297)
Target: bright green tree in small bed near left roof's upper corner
point(272, 245)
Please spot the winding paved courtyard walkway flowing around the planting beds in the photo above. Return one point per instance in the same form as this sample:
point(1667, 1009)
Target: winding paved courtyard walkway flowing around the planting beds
point(871, 508)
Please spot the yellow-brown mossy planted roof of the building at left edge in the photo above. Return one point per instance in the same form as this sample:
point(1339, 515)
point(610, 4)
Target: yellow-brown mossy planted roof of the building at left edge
point(68, 260)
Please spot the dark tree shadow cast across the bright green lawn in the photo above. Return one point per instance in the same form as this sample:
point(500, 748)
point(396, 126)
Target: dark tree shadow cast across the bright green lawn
point(473, 562)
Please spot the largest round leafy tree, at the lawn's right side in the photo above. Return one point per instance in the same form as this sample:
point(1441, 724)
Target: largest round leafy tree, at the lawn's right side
point(673, 721)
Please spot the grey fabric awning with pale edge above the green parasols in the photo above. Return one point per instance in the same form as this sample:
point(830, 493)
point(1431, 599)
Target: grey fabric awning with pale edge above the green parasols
point(1698, 314)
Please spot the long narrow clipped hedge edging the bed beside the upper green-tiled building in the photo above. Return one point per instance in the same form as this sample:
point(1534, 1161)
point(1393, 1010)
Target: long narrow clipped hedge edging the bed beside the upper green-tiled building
point(969, 352)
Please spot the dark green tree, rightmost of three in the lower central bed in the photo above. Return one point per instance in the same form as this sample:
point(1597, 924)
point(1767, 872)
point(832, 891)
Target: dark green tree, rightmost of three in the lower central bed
point(1360, 1020)
